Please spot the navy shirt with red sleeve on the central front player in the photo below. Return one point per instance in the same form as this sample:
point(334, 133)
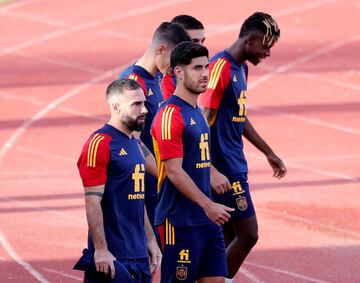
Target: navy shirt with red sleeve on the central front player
point(180, 131)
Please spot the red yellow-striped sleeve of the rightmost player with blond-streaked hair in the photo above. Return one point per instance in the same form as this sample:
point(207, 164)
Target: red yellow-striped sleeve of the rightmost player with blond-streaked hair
point(218, 81)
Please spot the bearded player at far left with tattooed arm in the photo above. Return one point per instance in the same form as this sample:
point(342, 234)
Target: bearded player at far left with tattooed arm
point(112, 170)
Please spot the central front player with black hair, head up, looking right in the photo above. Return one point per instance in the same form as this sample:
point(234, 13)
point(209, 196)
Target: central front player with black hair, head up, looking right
point(186, 217)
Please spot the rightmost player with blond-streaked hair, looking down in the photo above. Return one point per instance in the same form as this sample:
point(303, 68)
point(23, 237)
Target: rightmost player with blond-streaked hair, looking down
point(224, 106)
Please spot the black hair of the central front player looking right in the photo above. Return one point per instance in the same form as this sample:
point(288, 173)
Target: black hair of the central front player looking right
point(184, 52)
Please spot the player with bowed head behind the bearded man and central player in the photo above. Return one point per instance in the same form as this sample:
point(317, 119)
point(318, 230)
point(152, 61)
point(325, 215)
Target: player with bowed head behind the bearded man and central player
point(155, 59)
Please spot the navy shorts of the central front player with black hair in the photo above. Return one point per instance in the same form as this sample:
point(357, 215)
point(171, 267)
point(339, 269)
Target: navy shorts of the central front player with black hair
point(190, 253)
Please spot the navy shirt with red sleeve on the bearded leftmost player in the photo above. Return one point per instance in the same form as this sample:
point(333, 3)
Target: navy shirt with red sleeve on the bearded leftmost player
point(110, 157)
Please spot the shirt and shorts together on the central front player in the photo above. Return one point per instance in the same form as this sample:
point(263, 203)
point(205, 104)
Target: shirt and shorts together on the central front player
point(193, 247)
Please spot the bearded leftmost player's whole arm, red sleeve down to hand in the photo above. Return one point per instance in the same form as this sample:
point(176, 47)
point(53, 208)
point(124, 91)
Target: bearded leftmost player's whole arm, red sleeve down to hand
point(92, 165)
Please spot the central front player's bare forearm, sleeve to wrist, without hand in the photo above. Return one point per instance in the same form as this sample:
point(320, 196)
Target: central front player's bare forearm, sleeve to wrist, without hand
point(182, 181)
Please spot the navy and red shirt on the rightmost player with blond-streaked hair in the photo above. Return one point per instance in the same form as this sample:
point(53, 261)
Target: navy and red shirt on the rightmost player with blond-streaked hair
point(227, 94)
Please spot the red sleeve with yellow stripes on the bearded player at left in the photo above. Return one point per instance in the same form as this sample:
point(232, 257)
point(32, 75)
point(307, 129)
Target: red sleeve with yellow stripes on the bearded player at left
point(94, 159)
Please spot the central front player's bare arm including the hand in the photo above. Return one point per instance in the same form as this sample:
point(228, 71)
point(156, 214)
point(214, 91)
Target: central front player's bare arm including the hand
point(216, 212)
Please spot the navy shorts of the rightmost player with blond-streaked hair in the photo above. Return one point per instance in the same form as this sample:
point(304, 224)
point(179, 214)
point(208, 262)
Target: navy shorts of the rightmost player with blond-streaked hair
point(238, 197)
